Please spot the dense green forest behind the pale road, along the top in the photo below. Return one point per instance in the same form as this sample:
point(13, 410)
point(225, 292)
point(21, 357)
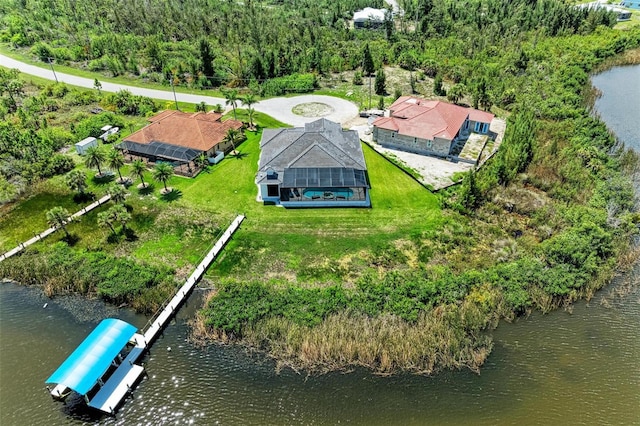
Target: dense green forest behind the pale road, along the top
point(204, 43)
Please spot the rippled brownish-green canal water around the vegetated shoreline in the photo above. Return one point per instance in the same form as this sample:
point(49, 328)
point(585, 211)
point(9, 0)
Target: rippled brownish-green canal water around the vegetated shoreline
point(578, 367)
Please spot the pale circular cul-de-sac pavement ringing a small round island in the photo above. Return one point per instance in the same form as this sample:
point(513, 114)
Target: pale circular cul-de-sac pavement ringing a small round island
point(282, 109)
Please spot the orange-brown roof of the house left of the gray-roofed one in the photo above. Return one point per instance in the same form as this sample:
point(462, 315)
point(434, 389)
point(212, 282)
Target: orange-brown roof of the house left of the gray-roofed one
point(198, 131)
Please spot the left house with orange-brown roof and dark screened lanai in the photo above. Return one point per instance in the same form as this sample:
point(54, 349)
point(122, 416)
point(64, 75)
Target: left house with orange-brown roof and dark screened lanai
point(179, 138)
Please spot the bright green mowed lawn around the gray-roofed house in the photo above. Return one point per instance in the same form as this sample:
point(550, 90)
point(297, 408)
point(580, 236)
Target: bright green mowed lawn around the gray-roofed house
point(178, 229)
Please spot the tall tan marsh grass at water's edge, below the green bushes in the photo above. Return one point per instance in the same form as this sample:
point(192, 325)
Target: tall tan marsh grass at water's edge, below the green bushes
point(450, 336)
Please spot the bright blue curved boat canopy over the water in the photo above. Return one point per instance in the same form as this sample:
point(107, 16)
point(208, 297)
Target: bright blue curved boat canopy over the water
point(93, 357)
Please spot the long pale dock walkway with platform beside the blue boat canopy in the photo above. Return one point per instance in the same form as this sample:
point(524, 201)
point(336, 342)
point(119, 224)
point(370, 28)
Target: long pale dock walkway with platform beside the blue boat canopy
point(119, 384)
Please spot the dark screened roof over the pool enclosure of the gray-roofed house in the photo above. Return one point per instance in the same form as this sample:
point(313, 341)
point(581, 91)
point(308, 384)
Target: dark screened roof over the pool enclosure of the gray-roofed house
point(336, 177)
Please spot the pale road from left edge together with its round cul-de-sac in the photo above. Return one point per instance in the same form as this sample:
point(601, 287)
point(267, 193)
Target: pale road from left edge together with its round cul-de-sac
point(278, 108)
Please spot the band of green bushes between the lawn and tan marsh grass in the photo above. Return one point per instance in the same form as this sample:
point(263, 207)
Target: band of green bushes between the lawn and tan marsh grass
point(565, 264)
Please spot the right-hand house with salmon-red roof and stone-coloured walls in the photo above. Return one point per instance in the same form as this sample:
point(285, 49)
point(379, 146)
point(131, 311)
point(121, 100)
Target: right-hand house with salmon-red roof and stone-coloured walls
point(429, 127)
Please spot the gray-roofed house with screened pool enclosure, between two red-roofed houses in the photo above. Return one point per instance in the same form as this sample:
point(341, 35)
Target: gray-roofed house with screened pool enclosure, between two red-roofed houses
point(318, 165)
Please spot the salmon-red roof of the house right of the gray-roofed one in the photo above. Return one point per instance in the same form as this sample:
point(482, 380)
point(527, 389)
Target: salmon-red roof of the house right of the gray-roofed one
point(428, 119)
